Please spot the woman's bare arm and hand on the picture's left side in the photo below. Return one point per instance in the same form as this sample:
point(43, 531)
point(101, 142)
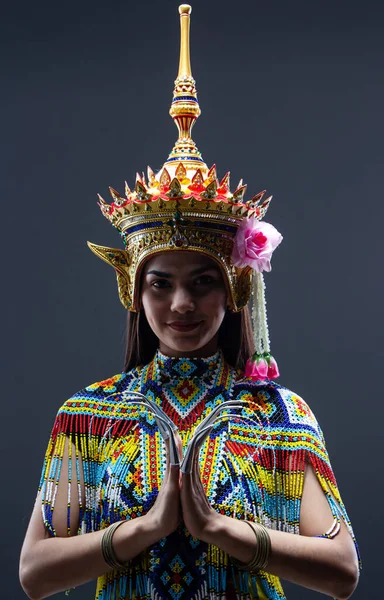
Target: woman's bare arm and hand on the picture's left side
point(52, 564)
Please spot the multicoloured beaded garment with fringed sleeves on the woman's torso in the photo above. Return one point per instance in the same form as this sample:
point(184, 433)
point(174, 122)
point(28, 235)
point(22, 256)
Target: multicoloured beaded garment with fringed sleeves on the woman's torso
point(251, 468)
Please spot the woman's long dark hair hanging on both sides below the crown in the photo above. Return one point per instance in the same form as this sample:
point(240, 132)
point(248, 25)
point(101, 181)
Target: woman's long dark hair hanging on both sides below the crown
point(235, 339)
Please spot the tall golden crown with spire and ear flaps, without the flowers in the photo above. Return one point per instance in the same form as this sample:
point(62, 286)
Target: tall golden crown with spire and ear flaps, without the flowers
point(183, 206)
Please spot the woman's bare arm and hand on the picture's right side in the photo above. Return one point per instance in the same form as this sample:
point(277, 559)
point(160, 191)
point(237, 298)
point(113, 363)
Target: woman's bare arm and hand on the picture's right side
point(325, 565)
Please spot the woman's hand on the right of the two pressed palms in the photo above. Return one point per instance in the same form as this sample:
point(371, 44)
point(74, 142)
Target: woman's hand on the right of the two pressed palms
point(199, 517)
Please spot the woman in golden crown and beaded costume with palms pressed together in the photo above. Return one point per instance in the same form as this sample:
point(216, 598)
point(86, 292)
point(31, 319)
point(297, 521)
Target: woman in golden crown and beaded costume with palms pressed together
point(255, 499)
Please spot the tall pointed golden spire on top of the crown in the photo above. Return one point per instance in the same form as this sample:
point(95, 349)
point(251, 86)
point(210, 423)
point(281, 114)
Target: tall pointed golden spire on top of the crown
point(185, 107)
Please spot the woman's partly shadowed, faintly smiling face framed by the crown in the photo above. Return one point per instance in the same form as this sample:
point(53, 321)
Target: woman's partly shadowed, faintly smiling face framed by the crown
point(184, 299)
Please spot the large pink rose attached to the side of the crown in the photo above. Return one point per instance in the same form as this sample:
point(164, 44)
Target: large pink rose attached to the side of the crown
point(254, 243)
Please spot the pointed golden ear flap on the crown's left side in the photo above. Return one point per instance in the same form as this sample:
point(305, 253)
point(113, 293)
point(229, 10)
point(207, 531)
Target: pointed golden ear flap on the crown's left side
point(119, 260)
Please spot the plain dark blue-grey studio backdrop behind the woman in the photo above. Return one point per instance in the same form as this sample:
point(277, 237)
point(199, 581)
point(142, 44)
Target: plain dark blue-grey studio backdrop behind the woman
point(292, 100)
